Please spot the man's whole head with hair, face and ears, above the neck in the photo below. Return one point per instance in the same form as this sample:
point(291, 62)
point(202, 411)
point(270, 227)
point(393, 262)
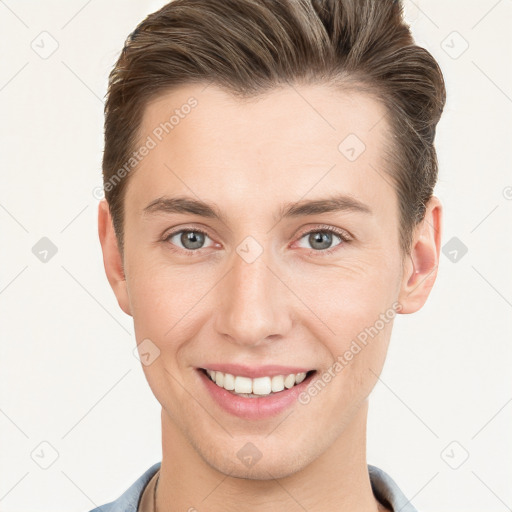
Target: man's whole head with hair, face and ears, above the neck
point(237, 133)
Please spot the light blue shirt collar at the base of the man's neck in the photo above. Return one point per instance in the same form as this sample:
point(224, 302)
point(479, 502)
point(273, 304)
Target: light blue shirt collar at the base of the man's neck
point(384, 488)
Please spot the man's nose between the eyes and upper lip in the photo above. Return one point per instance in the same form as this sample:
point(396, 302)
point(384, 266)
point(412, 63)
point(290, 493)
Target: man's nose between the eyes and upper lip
point(253, 303)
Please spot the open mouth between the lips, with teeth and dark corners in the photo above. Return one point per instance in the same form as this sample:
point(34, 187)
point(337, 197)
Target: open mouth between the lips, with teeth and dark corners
point(259, 387)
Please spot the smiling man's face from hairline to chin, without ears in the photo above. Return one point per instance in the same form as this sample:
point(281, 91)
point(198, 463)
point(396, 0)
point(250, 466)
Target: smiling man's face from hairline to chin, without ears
point(259, 289)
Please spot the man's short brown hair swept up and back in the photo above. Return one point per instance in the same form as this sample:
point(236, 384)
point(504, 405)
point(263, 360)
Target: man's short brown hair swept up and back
point(249, 47)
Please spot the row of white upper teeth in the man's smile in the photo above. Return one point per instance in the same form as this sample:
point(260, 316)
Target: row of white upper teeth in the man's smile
point(253, 387)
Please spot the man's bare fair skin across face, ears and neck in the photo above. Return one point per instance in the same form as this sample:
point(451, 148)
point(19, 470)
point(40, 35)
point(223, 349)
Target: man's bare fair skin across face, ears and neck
point(291, 306)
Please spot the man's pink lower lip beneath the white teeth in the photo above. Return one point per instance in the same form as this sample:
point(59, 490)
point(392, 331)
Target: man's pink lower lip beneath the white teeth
point(262, 407)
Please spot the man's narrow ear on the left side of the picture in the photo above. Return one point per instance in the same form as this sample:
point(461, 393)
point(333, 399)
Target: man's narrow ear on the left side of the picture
point(112, 259)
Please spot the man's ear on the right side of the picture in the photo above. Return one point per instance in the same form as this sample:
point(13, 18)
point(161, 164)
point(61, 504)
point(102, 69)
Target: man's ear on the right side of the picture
point(420, 267)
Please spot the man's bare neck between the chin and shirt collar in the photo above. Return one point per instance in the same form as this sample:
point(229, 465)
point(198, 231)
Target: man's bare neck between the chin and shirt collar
point(336, 480)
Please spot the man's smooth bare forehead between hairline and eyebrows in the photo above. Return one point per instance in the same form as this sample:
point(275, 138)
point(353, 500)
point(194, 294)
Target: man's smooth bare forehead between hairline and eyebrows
point(279, 145)
